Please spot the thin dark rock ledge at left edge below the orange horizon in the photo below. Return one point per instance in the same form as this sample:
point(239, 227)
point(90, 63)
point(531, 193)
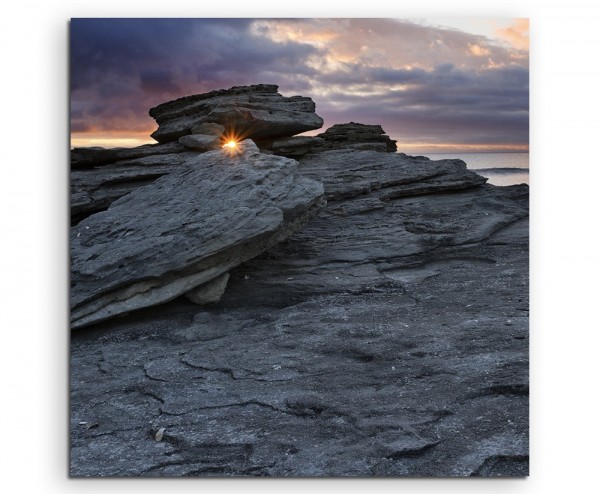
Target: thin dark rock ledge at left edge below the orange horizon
point(94, 156)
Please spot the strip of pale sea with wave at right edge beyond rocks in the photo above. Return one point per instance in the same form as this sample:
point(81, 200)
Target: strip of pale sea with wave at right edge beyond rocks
point(499, 168)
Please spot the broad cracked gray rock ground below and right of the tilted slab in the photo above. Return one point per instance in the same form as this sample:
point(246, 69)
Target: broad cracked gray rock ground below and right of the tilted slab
point(386, 337)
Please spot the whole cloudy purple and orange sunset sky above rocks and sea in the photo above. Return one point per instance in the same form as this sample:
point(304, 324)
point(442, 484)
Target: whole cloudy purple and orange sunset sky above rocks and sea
point(434, 85)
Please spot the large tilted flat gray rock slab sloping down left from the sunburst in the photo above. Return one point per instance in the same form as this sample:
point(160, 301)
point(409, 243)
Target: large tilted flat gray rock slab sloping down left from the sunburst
point(162, 240)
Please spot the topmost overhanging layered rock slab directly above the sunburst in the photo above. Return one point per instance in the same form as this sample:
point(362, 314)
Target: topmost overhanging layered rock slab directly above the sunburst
point(258, 112)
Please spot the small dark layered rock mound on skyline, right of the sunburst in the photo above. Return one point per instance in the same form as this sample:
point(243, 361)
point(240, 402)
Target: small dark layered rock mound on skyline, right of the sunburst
point(357, 136)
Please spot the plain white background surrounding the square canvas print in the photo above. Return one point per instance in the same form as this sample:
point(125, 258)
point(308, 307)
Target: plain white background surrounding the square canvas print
point(564, 180)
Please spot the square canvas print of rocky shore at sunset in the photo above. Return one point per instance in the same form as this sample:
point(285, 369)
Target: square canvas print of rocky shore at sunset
point(299, 248)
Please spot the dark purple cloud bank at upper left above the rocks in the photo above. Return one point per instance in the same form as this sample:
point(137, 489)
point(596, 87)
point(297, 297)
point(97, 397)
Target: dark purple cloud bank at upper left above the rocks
point(128, 66)
